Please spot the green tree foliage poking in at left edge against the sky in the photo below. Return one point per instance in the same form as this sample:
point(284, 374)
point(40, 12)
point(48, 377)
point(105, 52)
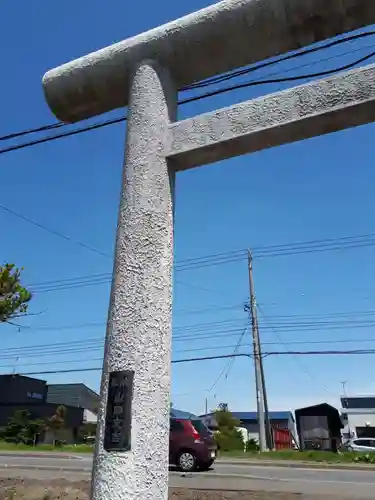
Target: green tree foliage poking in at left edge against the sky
point(14, 298)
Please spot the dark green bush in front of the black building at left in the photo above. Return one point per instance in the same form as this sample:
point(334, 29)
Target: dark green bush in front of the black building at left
point(21, 428)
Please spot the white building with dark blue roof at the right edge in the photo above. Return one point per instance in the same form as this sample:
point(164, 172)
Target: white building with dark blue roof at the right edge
point(358, 416)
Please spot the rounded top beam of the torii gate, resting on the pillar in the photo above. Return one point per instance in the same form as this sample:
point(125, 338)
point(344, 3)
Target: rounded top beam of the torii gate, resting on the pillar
point(220, 38)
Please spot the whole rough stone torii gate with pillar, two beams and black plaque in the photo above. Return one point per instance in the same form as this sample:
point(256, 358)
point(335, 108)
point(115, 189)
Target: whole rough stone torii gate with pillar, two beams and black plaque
point(145, 73)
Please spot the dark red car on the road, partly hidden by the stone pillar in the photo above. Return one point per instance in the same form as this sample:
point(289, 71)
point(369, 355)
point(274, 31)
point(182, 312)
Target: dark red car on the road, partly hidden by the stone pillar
point(191, 445)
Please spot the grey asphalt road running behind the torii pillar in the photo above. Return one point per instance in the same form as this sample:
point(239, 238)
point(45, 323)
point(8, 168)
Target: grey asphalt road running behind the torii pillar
point(344, 483)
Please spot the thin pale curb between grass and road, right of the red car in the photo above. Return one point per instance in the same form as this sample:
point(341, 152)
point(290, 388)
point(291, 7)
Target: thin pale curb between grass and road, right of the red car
point(297, 465)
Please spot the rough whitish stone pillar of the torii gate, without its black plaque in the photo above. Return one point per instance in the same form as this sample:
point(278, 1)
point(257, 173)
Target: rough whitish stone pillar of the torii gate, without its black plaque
point(139, 322)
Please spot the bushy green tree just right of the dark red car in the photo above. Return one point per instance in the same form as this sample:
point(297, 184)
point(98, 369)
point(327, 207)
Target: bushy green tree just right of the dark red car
point(228, 436)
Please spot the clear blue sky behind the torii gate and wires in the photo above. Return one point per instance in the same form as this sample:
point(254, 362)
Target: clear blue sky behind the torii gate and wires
point(318, 189)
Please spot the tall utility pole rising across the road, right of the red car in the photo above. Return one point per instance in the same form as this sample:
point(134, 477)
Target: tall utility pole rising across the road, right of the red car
point(259, 383)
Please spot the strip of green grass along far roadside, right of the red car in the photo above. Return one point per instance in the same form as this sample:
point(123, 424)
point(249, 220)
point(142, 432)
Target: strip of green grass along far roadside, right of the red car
point(304, 456)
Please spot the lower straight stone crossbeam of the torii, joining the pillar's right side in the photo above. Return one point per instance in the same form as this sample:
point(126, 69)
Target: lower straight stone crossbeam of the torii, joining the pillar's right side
point(317, 108)
